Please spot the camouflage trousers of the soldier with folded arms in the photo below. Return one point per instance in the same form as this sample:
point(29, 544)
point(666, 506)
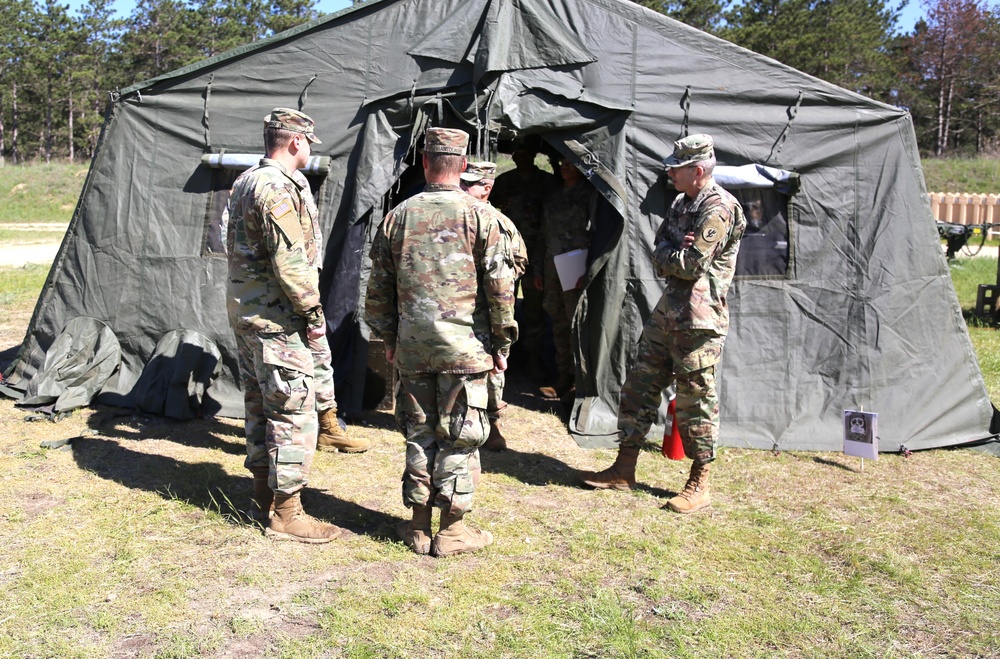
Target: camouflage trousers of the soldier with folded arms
point(689, 358)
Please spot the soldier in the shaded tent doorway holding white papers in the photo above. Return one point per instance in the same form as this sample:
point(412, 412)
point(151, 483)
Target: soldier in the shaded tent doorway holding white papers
point(565, 227)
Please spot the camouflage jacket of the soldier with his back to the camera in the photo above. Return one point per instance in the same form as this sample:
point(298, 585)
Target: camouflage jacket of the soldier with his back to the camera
point(441, 288)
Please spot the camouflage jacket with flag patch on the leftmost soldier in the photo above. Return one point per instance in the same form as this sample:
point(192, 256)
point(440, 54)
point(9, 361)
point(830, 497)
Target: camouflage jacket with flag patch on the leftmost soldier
point(274, 250)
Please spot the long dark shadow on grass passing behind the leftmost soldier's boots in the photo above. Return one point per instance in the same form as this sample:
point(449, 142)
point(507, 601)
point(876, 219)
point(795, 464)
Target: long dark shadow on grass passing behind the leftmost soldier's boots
point(208, 486)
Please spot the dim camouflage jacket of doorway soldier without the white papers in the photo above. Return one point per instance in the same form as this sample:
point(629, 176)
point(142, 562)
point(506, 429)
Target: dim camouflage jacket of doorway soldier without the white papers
point(521, 197)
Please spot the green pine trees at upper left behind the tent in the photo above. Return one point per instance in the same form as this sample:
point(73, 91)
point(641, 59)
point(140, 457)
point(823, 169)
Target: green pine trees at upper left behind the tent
point(56, 69)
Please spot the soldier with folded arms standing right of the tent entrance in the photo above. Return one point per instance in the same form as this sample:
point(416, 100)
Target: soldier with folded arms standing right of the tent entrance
point(696, 248)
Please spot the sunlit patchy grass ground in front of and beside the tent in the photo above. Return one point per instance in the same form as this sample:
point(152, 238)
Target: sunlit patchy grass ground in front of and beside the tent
point(130, 544)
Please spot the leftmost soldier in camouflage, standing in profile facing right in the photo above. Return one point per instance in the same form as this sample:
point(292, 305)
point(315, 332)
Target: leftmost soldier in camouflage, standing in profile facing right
point(275, 311)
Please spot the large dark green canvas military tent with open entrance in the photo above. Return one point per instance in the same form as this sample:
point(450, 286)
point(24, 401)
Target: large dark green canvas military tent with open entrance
point(843, 299)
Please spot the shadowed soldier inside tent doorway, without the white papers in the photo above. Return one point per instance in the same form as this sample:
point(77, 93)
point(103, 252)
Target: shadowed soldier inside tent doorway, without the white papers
point(519, 194)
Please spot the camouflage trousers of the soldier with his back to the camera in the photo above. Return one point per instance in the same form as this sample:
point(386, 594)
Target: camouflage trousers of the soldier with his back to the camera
point(443, 417)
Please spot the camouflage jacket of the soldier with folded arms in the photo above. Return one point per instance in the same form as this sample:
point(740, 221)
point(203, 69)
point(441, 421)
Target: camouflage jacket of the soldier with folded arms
point(698, 278)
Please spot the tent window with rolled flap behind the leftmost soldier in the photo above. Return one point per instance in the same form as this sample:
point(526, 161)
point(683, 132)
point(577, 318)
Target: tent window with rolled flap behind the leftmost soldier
point(226, 168)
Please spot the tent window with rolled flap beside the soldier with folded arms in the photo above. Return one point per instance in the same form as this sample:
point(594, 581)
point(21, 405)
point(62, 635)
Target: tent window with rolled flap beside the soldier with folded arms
point(764, 193)
